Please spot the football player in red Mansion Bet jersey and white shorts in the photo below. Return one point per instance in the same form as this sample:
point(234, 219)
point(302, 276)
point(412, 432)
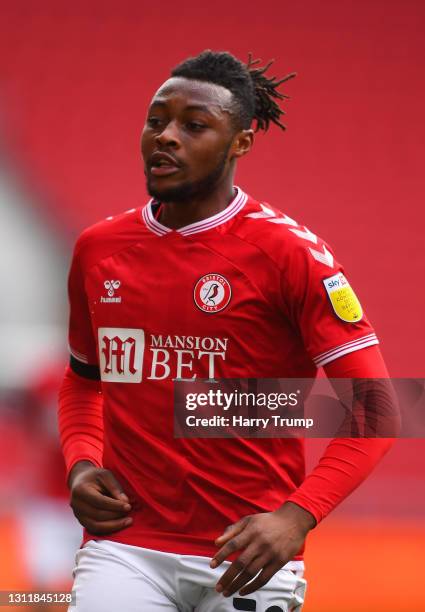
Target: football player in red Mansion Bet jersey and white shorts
point(202, 282)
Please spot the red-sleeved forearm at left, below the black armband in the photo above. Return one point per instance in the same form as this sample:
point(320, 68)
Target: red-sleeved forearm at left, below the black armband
point(80, 417)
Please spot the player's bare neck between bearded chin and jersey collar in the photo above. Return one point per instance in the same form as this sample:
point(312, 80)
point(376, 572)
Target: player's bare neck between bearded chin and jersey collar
point(179, 214)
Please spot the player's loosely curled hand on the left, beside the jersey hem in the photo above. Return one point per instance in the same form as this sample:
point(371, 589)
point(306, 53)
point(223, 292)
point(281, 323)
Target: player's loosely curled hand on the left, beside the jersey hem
point(97, 499)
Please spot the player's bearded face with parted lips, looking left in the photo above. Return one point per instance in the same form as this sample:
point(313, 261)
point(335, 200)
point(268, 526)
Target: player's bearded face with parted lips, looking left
point(189, 143)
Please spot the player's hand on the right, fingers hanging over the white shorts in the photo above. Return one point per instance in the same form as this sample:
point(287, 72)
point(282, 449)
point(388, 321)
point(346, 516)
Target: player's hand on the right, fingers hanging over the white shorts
point(268, 541)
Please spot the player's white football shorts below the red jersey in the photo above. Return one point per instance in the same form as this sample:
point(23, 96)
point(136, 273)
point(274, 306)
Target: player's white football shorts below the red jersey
point(110, 576)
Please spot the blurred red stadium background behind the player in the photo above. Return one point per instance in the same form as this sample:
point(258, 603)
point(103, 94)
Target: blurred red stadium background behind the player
point(75, 82)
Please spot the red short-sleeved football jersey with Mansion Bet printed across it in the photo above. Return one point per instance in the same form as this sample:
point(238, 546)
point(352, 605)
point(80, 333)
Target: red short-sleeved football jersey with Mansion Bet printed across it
point(247, 293)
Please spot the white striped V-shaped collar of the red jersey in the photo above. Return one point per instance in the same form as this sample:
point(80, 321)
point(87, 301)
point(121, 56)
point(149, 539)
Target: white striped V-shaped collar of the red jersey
point(230, 211)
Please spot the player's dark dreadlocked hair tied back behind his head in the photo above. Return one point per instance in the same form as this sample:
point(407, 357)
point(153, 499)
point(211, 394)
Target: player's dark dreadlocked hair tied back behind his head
point(254, 93)
